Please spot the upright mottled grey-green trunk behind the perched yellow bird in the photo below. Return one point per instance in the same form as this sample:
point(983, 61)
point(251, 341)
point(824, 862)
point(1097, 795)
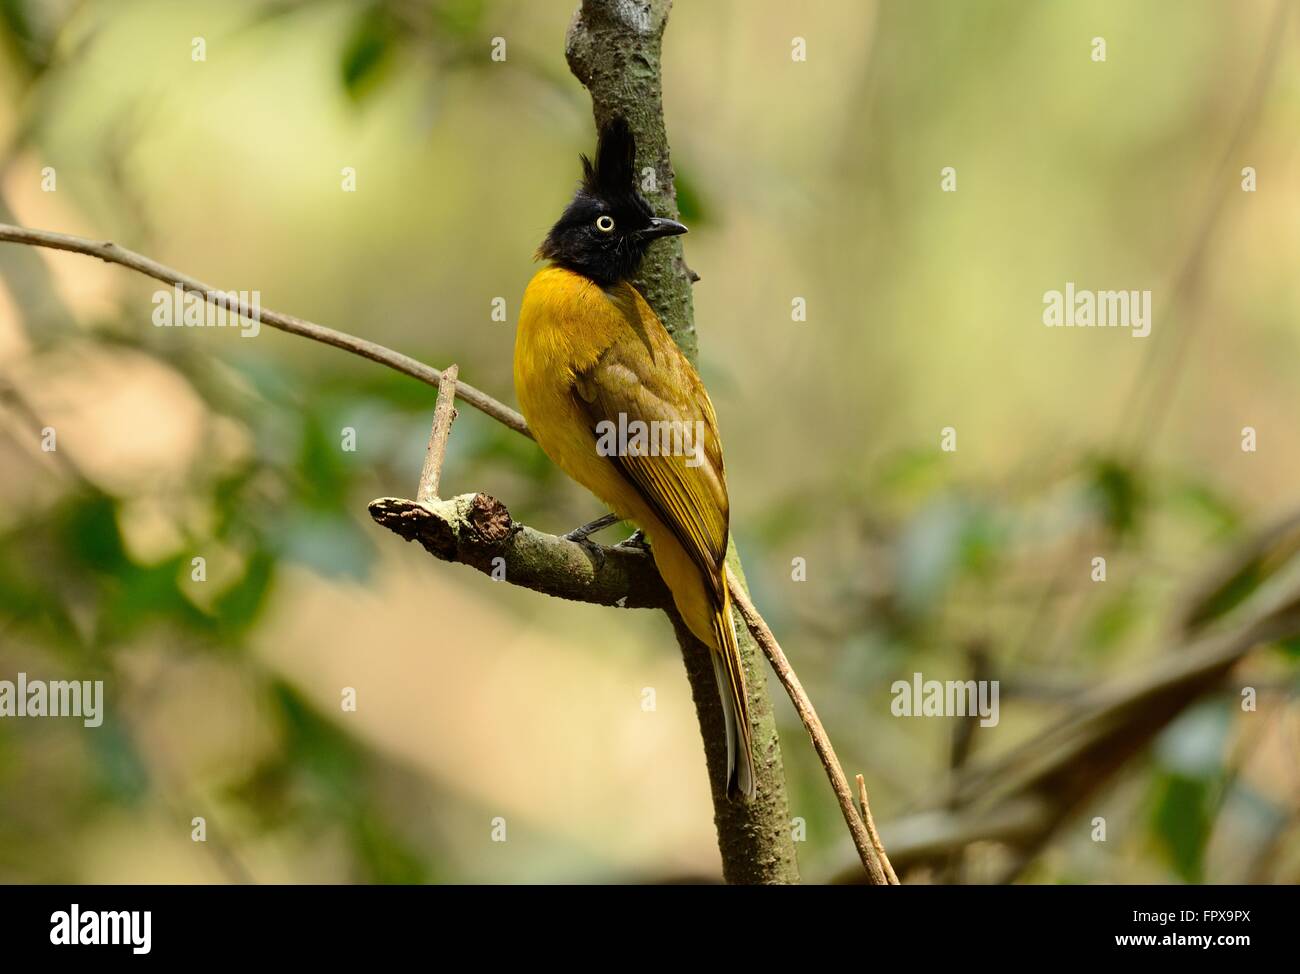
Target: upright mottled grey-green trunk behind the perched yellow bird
point(614, 49)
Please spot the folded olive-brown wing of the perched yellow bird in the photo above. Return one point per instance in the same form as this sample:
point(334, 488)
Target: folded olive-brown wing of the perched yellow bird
point(645, 378)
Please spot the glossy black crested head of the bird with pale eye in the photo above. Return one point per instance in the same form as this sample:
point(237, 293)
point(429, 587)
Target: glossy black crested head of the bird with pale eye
point(606, 231)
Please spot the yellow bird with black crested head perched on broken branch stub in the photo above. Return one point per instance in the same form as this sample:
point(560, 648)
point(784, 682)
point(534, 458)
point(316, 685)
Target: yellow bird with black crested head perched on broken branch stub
point(603, 384)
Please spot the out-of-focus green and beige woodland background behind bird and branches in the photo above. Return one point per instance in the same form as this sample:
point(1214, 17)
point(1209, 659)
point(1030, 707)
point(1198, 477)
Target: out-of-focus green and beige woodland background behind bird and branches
point(816, 180)
